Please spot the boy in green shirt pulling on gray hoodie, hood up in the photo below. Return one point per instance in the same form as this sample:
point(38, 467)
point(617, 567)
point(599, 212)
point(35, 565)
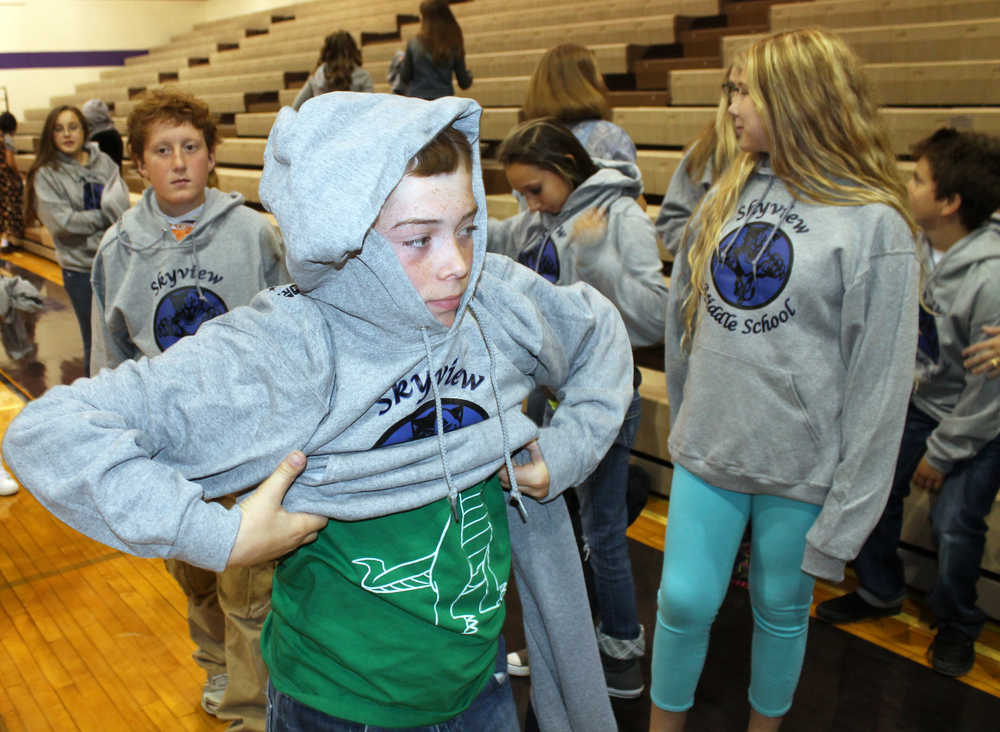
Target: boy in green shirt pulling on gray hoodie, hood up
point(398, 366)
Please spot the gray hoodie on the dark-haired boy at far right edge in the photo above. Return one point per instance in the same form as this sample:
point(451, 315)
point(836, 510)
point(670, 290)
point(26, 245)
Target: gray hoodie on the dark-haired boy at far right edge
point(963, 290)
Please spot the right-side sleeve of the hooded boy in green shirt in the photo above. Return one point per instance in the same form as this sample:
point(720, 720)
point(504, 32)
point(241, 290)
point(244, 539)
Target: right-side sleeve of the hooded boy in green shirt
point(584, 356)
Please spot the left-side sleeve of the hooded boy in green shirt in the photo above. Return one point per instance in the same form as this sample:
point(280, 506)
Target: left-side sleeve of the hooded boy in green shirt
point(140, 447)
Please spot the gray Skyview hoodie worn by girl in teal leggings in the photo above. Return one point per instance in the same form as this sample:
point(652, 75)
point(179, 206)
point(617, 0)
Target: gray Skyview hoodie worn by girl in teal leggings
point(798, 378)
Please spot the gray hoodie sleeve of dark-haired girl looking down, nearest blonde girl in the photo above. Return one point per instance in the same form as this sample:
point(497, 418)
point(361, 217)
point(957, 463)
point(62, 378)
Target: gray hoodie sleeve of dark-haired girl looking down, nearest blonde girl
point(626, 268)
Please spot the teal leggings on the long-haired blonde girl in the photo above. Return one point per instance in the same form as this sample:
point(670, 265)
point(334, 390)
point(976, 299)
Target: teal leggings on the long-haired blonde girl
point(704, 528)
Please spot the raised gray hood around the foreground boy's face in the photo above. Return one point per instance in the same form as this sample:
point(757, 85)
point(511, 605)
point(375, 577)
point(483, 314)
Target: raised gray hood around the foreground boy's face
point(332, 252)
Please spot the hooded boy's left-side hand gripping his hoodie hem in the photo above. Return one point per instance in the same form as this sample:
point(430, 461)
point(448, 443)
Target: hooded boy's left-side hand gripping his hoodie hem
point(267, 530)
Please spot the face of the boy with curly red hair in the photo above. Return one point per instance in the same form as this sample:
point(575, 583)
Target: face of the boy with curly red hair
point(176, 162)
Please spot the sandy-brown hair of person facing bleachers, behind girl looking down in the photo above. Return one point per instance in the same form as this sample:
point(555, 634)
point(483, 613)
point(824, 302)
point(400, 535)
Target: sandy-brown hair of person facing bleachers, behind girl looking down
point(567, 85)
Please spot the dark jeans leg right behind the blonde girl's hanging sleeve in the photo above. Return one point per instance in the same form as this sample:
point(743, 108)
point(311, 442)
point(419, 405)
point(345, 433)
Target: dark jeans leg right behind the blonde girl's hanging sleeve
point(878, 566)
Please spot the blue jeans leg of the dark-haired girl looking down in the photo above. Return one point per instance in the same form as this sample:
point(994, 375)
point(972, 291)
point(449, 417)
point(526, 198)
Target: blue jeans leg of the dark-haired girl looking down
point(604, 519)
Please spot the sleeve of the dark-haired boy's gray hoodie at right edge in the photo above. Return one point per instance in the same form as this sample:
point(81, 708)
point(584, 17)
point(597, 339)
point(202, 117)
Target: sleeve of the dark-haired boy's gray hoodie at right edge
point(975, 419)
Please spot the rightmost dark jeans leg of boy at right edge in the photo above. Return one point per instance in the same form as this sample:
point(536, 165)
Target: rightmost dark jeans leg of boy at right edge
point(959, 529)
